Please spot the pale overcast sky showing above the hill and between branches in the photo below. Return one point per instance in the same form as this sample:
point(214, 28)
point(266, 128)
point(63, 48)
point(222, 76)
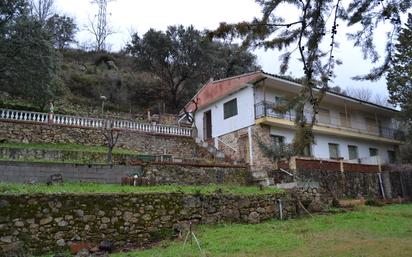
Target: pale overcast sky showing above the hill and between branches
point(141, 15)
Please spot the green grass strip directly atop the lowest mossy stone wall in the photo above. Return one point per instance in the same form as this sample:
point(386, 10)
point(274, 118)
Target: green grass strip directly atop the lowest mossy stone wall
point(10, 188)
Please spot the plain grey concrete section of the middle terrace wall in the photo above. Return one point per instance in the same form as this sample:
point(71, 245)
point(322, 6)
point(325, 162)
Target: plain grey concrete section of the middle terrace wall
point(21, 172)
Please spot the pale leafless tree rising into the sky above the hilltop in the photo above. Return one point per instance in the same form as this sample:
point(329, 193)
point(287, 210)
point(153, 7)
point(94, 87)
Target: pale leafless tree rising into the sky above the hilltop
point(99, 27)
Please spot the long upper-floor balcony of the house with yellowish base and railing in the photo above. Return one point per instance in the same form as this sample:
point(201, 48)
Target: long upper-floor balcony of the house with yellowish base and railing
point(265, 113)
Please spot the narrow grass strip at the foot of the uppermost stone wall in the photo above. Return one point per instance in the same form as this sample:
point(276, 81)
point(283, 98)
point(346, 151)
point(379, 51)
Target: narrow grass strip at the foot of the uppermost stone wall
point(68, 147)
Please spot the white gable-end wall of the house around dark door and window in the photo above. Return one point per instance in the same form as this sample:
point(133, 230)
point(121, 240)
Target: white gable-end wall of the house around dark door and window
point(221, 126)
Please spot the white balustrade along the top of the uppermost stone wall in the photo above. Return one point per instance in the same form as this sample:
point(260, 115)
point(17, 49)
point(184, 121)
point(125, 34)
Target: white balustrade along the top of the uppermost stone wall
point(67, 120)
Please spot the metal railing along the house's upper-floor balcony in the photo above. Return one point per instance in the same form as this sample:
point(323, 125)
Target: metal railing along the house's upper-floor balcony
point(266, 109)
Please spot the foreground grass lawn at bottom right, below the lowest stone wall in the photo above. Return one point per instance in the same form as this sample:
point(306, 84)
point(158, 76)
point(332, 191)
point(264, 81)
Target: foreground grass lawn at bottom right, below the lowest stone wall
point(369, 231)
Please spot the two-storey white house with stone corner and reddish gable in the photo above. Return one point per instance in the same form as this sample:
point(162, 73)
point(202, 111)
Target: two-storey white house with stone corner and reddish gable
point(237, 114)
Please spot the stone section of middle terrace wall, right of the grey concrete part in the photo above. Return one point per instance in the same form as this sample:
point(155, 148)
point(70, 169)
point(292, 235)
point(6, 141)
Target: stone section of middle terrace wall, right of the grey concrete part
point(189, 174)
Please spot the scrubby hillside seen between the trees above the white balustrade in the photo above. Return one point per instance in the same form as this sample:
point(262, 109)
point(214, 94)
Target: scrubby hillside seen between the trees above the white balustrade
point(86, 76)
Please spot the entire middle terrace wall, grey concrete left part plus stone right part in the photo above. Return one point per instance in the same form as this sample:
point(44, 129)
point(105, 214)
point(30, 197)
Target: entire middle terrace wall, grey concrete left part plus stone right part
point(158, 173)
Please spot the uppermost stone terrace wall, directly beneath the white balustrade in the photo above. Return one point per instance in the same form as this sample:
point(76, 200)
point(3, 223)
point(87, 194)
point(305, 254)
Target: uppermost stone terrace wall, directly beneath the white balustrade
point(144, 143)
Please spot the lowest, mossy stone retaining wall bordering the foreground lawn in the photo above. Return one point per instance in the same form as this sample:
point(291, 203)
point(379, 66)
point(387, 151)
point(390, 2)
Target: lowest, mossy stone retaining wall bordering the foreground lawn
point(39, 223)
